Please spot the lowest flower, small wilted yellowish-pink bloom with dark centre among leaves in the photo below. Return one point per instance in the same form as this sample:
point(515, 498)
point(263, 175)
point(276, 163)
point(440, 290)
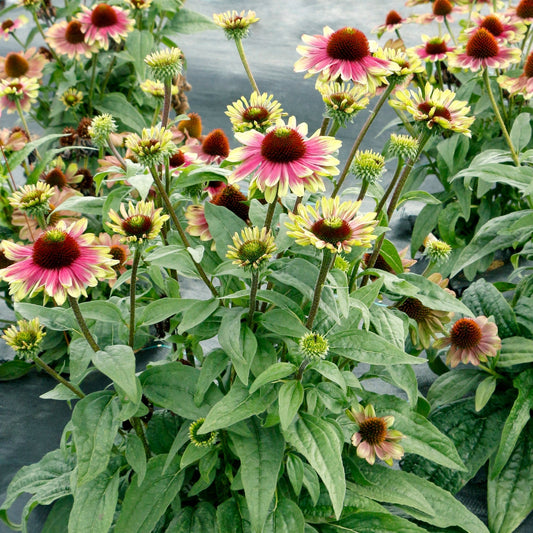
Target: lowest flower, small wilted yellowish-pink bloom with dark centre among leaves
point(374, 436)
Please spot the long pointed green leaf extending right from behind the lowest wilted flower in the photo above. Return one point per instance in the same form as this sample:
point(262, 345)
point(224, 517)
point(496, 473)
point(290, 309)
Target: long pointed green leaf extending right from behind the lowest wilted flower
point(421, 436)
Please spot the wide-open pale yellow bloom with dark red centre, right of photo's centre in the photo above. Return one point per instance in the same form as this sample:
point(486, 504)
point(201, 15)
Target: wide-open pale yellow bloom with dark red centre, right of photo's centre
point(332, 225)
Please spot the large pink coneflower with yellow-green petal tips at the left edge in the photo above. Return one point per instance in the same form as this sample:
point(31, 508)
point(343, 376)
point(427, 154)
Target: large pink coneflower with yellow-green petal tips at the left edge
point(62, 261)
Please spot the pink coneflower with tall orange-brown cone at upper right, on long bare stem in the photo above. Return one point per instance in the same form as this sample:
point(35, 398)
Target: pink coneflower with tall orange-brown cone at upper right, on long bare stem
point(483, 51)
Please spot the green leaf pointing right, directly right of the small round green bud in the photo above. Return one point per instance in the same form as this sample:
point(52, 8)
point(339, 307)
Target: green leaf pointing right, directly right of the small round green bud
point(367, 347)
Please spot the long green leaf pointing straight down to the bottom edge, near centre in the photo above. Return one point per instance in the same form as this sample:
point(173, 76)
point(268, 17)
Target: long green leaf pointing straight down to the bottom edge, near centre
point(261, 454)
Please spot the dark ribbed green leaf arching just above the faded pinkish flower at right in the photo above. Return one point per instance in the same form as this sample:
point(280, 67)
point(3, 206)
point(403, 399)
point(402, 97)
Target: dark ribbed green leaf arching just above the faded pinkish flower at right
point(485, 299)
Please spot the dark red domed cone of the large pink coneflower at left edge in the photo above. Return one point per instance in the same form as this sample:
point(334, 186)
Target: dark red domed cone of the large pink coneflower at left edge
point(55, 249)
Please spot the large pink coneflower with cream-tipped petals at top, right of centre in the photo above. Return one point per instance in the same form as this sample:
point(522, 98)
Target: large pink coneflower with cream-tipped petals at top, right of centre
point(345, 53)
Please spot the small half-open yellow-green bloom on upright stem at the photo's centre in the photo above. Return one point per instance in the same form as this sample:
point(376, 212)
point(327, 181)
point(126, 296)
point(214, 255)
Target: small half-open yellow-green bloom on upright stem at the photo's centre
point(251, 248)
